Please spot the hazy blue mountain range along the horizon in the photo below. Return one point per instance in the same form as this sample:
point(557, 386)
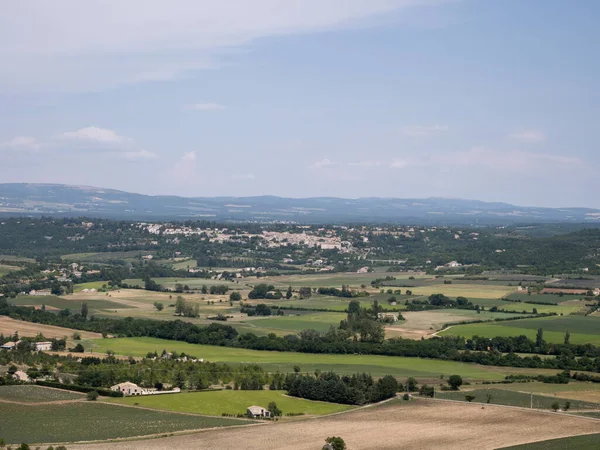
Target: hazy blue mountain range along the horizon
point(64, 200)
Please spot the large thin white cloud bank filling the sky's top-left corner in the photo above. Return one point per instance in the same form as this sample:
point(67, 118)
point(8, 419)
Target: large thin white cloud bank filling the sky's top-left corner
point(75, 45)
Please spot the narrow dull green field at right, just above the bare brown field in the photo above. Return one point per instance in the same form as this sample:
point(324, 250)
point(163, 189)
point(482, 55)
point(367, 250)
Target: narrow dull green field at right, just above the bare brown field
point(513, 398)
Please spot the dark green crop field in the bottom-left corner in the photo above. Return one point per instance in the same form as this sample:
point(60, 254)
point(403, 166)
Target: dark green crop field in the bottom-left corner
point(84, 421)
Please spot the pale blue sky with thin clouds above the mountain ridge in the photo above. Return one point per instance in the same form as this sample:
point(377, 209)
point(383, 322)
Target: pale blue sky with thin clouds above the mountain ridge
point(478, 99)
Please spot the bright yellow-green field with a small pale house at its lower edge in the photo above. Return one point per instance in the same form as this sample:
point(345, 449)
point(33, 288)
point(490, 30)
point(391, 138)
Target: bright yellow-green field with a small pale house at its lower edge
point(214, 403)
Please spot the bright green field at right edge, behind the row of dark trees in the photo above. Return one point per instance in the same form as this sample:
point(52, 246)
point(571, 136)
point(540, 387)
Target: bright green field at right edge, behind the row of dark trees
point(583, 329)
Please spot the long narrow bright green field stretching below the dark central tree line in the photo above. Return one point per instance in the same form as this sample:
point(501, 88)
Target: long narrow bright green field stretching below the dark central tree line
point(285, 361)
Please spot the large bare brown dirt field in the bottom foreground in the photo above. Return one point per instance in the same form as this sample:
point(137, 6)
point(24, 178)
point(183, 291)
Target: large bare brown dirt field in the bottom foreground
point(421, 424)
